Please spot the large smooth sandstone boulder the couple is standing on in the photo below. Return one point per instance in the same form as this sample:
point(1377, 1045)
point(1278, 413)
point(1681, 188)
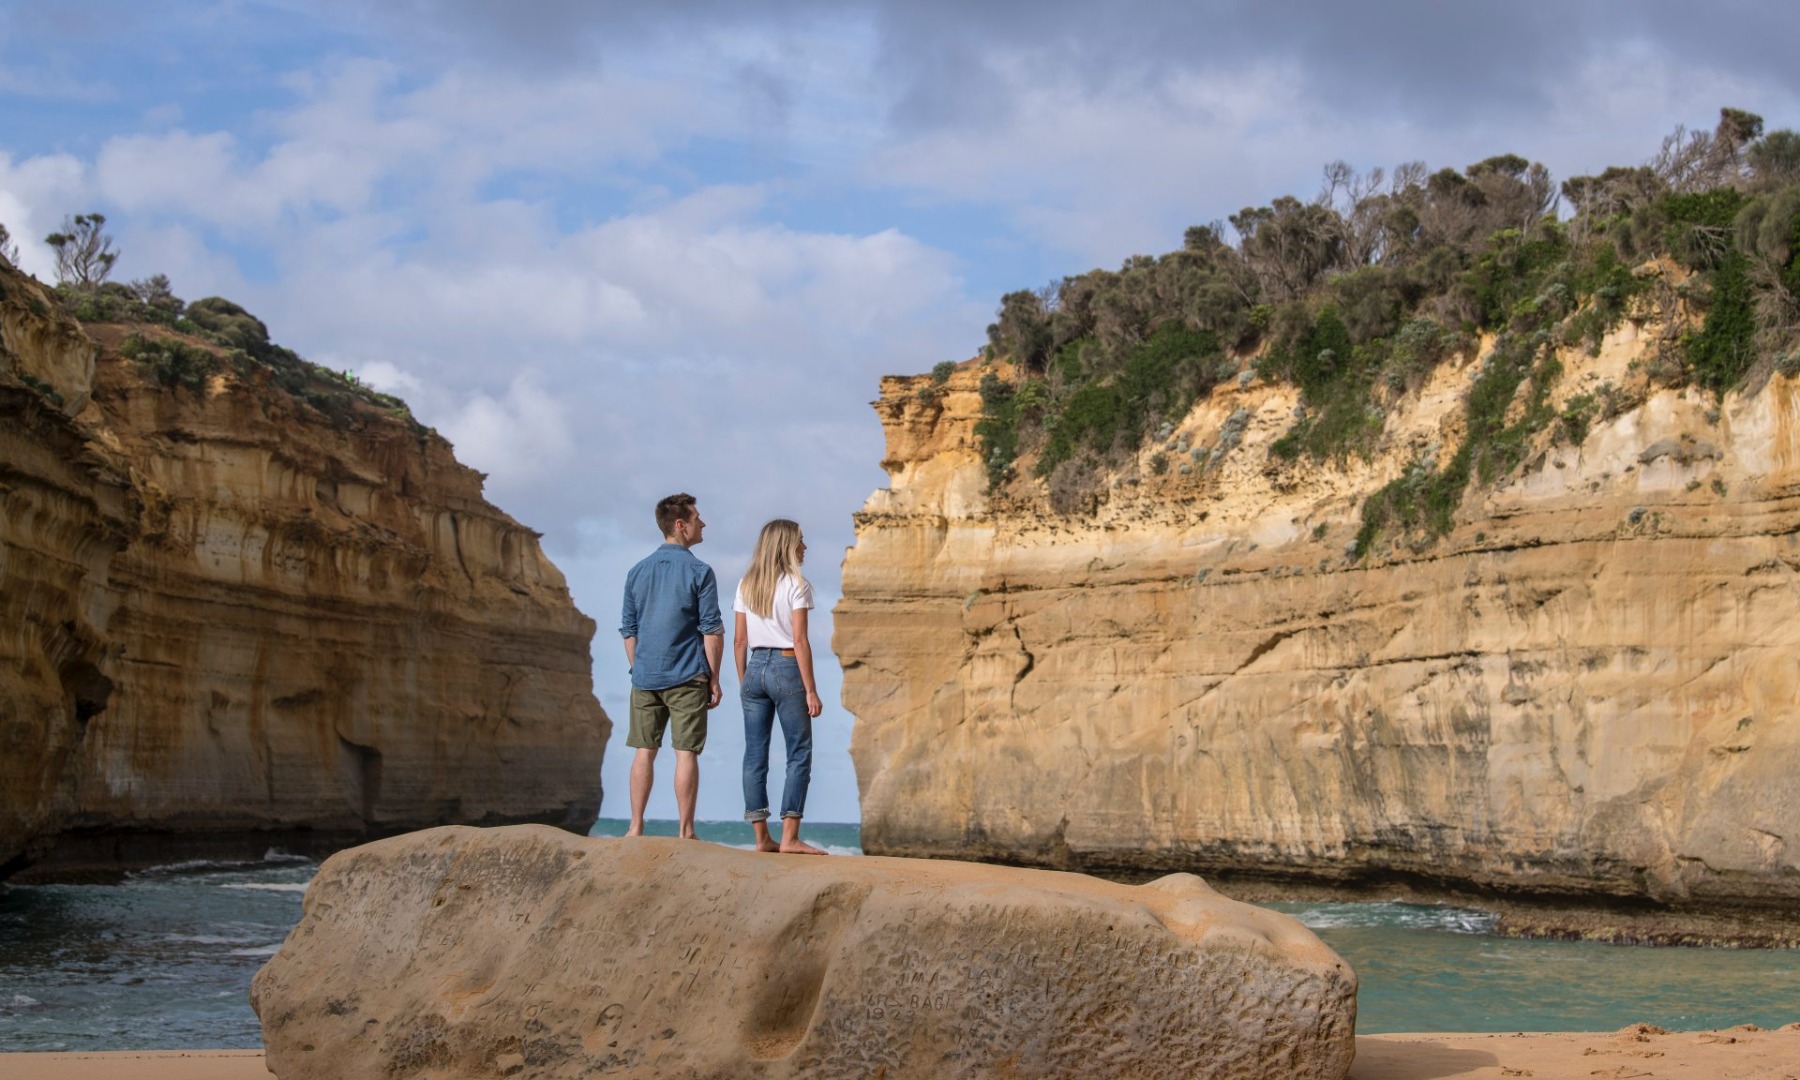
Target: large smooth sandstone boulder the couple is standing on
point(523, 951)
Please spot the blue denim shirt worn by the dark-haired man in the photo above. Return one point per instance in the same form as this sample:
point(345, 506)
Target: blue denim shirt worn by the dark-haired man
point(670, 600)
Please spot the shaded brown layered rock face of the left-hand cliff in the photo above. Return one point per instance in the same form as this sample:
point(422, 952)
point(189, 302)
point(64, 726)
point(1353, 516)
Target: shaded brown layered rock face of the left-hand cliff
point(228, 620)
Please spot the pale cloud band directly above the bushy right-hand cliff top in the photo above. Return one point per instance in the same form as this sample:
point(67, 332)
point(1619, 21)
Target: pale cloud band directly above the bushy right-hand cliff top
point(1120, 166)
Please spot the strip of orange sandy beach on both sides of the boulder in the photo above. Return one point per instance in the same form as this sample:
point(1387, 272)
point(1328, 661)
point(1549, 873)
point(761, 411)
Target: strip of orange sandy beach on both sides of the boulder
point(1632, 1054)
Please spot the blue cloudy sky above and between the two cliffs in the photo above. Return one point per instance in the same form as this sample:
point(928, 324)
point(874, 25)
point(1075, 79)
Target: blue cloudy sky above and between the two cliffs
point(622, 251)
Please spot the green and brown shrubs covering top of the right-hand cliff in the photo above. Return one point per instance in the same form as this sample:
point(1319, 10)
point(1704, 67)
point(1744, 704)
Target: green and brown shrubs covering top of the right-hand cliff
point(1360, 292)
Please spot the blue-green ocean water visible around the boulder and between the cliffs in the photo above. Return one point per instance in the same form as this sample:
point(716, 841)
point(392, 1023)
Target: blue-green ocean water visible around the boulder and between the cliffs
point(165, 958)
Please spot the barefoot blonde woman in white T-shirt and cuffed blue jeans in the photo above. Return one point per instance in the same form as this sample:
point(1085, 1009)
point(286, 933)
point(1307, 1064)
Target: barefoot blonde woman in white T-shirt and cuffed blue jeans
point(775, 679)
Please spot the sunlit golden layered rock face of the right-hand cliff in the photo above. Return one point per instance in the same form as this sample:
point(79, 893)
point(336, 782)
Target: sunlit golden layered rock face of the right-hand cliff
point(1588, 690)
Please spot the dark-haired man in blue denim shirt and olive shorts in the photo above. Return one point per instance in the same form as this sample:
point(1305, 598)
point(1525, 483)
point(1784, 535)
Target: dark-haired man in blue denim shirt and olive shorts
point(674, 643)
